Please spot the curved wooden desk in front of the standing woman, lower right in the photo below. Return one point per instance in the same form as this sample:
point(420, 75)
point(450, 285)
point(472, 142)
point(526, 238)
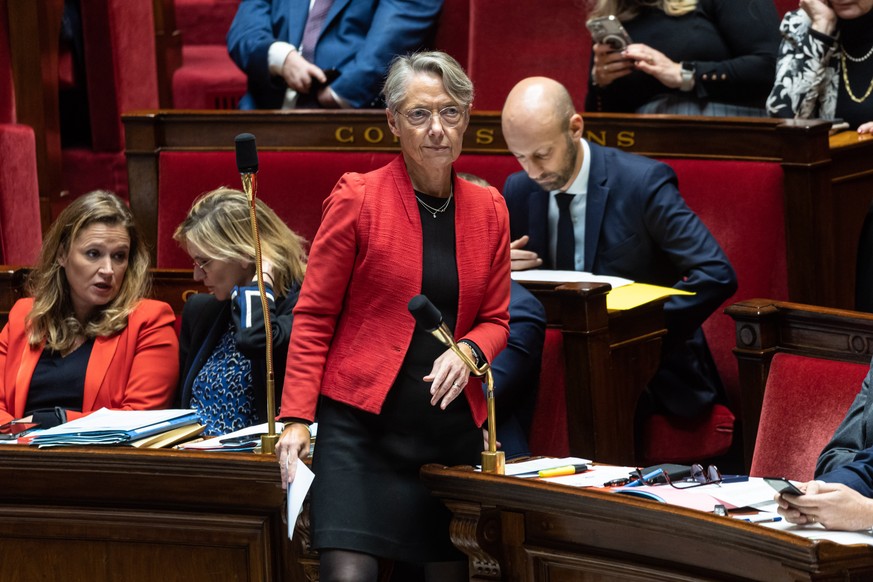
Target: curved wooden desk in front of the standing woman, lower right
point(524, 530)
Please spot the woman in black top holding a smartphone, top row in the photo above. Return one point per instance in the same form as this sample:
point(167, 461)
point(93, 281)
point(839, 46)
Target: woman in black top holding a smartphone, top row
point(691, 57)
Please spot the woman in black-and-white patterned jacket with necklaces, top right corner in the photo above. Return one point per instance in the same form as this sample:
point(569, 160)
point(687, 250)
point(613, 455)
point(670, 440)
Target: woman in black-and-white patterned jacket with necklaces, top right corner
point(825, 67)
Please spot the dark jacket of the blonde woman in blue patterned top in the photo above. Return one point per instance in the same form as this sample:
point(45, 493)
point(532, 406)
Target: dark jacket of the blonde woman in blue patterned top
point(204, 321)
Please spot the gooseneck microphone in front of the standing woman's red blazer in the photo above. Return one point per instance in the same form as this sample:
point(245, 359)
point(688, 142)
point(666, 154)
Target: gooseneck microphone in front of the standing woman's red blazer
point(429, 318)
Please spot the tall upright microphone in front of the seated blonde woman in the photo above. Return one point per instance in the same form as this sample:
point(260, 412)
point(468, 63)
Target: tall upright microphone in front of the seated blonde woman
point(247, 164)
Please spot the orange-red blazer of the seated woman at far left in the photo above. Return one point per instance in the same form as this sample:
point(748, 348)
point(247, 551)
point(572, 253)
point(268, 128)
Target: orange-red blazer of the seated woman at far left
point(136, 369)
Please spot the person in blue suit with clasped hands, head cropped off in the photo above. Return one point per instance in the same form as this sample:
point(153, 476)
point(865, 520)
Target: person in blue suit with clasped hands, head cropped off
point(286, 47)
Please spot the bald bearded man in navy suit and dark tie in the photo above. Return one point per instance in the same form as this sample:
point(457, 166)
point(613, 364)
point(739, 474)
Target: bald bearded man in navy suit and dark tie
point(622, 216)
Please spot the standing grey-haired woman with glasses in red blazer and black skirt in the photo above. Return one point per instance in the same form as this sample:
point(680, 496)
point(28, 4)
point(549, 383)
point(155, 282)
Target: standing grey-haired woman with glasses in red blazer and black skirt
point(390, 396)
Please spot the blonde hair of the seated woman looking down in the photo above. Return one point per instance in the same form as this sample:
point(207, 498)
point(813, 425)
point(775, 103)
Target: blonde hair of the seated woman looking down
point(219, 224)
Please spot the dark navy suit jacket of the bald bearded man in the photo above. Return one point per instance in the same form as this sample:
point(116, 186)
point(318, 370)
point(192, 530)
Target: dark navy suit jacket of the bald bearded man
point(638, 226)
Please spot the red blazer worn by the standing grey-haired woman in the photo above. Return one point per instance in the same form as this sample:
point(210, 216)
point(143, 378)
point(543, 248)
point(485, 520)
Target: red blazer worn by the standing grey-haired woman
point(351, 324)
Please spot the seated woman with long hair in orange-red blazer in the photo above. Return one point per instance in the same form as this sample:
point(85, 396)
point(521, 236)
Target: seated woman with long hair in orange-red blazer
point(85, 338)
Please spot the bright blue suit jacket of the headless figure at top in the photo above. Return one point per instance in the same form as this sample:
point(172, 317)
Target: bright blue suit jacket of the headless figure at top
point(360, 37)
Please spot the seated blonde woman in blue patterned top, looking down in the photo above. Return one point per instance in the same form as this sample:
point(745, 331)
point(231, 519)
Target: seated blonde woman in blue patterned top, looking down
point(223, 366)
